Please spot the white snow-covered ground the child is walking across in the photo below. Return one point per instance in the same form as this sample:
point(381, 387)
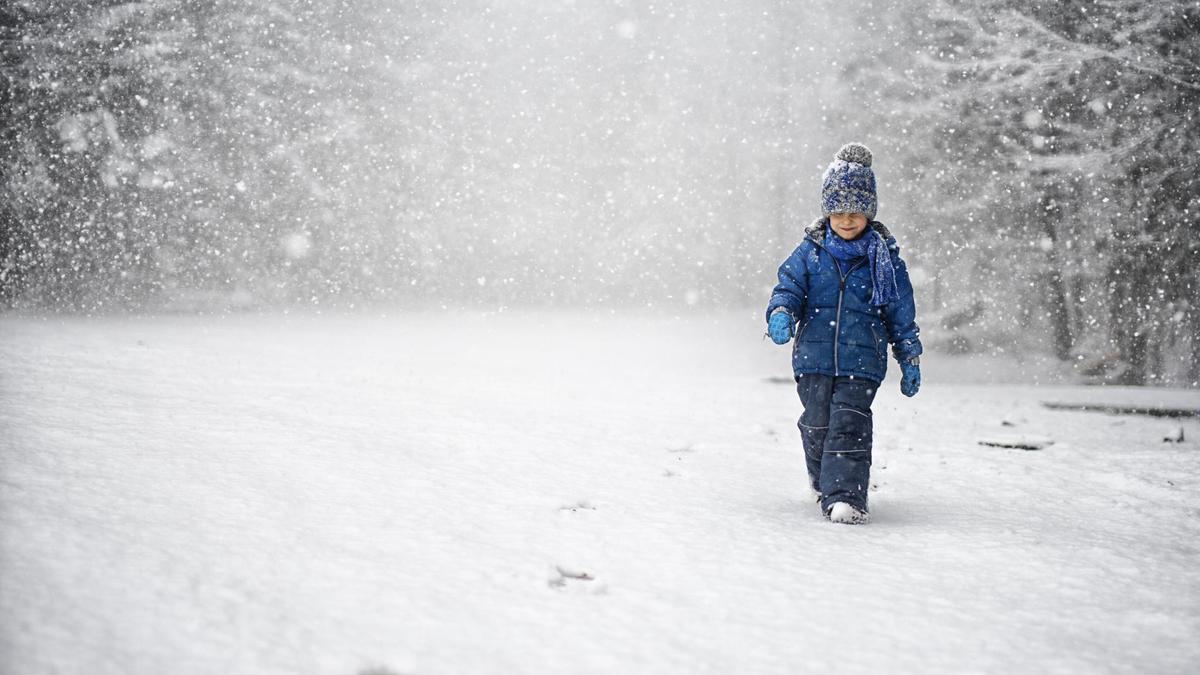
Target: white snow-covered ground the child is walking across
point(442, 493)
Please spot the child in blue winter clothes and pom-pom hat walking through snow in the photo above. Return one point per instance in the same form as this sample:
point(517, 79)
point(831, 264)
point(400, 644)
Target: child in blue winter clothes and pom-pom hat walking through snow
point(844, 295)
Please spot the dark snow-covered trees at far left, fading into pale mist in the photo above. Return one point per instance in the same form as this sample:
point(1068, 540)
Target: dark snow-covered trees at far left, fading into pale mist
point(193, 151)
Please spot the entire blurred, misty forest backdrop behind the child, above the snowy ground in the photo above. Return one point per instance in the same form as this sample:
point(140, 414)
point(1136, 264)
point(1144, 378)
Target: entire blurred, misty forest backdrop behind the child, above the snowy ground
point(1039, 162)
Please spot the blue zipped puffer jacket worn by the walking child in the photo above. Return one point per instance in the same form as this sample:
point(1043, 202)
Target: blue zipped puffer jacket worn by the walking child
point(839, 332)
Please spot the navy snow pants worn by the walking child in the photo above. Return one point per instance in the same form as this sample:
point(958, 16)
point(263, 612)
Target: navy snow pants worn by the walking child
point(837, 433)
